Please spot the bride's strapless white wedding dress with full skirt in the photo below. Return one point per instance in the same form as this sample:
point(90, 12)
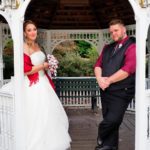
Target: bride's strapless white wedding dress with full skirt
point(46, 121)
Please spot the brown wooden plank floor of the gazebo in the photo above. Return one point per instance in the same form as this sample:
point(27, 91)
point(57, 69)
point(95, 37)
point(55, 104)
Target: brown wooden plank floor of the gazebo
point(84, 125)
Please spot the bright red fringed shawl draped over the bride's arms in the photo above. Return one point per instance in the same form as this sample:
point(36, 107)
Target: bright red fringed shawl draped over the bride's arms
point(34, 78)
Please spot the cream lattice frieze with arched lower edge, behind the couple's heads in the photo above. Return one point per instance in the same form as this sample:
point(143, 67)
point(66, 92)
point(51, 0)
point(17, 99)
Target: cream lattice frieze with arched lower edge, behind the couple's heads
point(49, 39)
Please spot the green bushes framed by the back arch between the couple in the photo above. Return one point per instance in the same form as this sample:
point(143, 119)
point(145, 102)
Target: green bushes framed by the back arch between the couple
point(74, 63)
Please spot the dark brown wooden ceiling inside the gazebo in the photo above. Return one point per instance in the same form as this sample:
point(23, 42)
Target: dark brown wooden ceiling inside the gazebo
point(78, 14)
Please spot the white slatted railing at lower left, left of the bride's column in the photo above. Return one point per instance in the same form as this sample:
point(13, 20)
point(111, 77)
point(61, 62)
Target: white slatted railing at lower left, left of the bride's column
point(6, 121)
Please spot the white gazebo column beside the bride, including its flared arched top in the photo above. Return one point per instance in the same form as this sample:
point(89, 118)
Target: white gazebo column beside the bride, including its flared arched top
point(15, 16)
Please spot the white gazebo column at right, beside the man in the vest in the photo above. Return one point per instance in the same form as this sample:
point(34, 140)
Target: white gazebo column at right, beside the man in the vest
point(141, 97)
